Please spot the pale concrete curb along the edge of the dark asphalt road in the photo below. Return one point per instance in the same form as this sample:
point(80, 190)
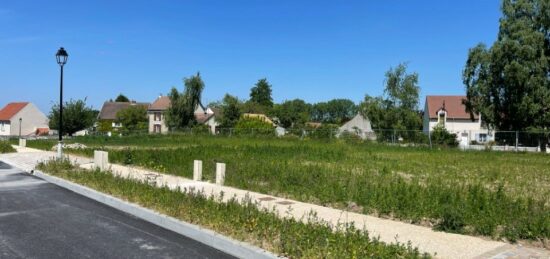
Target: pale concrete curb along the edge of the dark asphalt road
point(205, 236)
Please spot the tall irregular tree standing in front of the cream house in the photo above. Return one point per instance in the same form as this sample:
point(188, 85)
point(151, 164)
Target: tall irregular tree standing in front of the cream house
point(181, 113)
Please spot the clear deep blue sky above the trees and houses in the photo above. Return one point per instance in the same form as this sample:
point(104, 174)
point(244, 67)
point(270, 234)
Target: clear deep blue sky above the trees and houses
point(313, 50)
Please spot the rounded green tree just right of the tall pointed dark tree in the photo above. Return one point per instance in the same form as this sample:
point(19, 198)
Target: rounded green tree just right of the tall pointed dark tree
point(292, 113)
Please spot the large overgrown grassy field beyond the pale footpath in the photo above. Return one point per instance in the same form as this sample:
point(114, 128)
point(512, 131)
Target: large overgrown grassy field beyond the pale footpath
point(495, 194)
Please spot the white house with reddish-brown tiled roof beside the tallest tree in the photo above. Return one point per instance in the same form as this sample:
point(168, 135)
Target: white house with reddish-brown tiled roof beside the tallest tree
point(450, 112)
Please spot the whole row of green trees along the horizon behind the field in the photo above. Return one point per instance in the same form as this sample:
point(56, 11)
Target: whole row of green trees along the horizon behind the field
point(508, 84)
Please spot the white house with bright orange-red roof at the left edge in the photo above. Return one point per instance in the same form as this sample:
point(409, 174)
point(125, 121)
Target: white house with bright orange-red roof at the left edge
point(22, 118)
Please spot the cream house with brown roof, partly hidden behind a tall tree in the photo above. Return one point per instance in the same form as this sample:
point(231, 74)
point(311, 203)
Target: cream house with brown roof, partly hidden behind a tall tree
point(157, 122)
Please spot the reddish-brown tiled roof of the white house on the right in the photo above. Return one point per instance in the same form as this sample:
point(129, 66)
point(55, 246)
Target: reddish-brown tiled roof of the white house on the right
point(453, 105)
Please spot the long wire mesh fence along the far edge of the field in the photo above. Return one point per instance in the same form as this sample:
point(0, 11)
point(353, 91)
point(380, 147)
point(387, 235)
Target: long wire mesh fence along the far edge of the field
point(528, 141)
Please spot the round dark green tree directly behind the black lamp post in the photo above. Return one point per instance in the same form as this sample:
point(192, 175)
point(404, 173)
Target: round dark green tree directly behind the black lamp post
point(76, 116)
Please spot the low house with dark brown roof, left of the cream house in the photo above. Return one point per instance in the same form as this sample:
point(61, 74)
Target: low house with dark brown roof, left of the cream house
point(107, 116)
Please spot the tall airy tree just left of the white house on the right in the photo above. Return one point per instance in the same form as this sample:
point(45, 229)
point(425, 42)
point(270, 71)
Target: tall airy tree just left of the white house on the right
point(397, 109)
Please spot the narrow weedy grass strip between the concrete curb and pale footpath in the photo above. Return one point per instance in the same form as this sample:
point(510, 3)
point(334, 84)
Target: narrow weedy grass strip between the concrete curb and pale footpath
point(241, 220)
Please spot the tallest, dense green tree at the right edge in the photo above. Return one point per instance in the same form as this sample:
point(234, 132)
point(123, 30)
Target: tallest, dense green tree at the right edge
point(508, 84)
